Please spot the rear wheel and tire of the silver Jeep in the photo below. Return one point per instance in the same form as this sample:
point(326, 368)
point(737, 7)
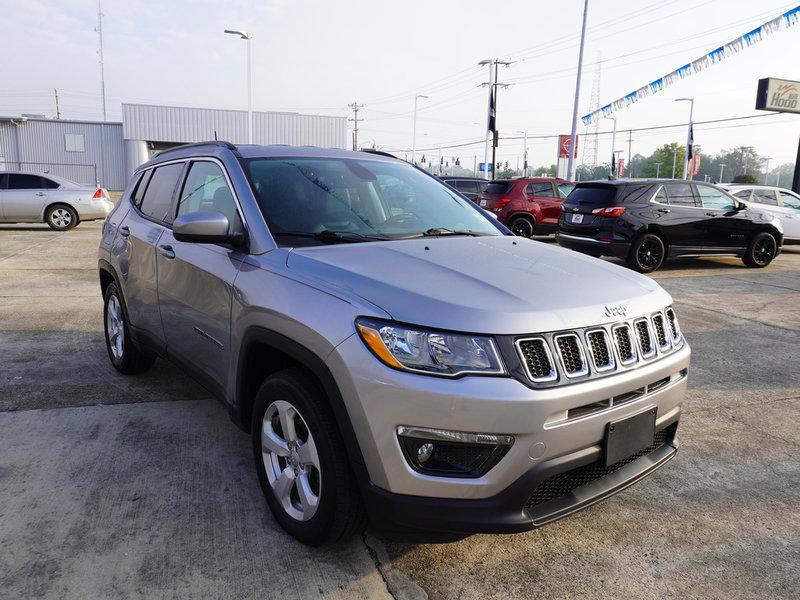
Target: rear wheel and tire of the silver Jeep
point(126, 356)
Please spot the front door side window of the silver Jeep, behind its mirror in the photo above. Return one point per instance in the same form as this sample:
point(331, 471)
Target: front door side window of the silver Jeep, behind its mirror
point(205, 190)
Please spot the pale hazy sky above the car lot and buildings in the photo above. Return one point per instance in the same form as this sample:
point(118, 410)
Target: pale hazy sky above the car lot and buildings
point(319, 56)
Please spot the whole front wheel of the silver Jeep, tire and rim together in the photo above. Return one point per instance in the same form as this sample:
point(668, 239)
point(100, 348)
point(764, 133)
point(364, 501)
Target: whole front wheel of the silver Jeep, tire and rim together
point(301, 460)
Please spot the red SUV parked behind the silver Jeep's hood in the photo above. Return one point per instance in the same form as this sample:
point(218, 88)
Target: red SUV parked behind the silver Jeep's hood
point(527, 206)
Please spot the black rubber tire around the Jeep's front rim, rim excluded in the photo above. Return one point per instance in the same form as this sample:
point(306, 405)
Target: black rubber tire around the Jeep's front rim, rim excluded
point(339, 511)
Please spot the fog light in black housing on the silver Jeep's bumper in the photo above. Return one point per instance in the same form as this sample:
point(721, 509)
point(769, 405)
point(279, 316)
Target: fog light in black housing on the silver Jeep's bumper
point(452, 453)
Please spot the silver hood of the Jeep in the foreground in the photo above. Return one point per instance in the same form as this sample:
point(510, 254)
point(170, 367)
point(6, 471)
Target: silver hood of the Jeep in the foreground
point(499, 284)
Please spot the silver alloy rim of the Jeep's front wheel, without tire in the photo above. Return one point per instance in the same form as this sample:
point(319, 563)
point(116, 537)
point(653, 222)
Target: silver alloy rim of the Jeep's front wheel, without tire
point(291, 460)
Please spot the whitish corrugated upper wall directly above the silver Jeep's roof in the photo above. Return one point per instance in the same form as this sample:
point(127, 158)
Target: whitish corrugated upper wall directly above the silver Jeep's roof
point(179, 124)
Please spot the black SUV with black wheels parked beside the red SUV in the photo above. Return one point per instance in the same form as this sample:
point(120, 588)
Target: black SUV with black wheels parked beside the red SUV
point(645, 221)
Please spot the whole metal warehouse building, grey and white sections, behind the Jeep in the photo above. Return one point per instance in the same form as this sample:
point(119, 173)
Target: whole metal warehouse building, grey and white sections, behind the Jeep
point(108, 152)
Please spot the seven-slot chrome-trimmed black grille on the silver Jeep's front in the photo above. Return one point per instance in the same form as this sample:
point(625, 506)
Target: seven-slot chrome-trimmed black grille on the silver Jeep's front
point(606, 348)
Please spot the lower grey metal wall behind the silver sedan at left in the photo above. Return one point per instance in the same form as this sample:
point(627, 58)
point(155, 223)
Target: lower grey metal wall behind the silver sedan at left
point(39, 145)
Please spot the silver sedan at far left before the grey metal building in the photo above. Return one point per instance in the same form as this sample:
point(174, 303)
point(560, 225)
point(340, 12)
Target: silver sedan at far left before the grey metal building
point(44, 198)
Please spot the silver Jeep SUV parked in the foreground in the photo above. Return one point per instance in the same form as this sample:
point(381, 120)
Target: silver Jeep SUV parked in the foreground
point(394, 352)
